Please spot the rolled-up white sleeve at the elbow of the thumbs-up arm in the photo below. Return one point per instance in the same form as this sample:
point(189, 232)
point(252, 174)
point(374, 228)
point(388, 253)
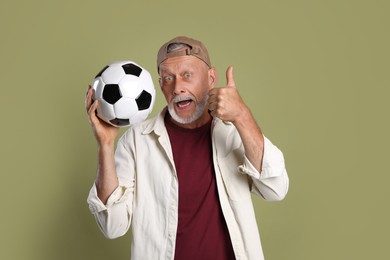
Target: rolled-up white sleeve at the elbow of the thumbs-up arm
point(272, 182)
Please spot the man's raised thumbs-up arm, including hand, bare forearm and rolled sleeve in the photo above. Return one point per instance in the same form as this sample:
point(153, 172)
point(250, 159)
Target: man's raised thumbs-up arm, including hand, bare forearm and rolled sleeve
point(264, 162)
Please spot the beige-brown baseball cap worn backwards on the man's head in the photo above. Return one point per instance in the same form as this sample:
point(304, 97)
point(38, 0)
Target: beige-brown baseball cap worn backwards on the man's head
point(196, 48)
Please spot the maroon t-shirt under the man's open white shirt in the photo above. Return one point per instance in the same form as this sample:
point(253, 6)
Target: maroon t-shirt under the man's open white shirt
point(202, 232)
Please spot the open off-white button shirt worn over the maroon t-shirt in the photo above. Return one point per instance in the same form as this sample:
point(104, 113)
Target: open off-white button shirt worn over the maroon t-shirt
point(147, 195)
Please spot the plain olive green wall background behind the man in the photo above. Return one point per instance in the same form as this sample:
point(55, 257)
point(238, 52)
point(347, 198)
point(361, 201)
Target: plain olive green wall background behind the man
point(315, 74)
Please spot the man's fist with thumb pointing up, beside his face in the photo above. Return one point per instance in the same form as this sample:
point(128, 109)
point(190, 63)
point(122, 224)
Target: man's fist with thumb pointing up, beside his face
point(225, 102)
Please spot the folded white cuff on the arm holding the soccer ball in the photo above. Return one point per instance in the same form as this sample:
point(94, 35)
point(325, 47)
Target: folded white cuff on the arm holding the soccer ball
point(96, 205)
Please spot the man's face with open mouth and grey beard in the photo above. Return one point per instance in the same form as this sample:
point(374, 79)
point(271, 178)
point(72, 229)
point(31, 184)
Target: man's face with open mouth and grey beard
point(185, 82)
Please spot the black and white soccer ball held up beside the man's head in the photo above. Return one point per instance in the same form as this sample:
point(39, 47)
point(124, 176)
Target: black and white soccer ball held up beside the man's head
point(125, 92)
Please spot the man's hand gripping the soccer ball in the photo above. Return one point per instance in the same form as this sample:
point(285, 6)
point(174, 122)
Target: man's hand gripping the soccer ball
point(105, 134)
